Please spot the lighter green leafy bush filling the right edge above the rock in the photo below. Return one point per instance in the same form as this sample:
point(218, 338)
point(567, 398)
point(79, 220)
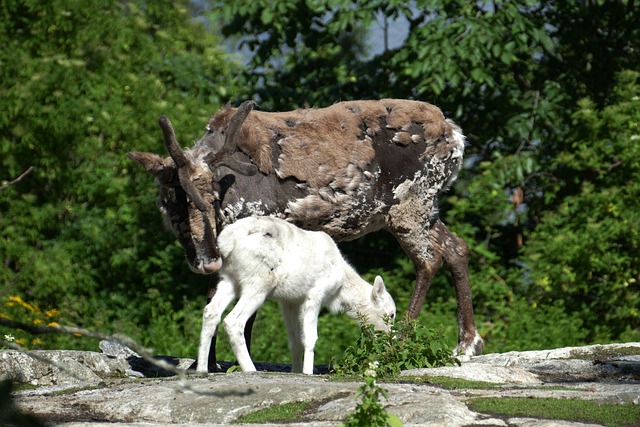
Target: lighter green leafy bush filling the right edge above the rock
point(584, 253)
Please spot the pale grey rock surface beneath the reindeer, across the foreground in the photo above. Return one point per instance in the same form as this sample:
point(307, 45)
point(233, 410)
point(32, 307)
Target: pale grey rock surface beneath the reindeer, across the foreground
point(119, 387)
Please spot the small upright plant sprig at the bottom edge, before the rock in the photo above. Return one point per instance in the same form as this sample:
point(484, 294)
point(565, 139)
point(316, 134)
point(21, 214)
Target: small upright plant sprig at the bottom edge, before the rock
point(370, 412)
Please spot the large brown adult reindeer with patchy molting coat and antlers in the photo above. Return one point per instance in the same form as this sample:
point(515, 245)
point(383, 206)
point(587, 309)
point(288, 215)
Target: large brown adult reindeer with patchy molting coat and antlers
point(349, 169)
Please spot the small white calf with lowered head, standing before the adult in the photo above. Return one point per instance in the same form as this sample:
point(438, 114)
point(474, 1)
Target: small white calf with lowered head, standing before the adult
point(269, 258)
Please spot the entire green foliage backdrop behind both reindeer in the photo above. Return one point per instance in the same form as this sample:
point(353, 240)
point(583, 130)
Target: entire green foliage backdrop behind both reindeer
point(548, 199)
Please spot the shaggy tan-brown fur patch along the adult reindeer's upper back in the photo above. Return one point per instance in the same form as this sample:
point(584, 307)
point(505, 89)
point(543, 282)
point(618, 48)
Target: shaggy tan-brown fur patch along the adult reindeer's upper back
point(327, 140)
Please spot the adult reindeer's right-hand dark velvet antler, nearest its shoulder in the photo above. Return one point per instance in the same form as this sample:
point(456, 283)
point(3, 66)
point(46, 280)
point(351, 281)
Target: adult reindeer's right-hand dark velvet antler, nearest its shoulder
point(224, 156)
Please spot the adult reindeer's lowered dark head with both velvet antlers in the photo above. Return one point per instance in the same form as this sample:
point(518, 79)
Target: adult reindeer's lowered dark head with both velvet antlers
point(189, 194)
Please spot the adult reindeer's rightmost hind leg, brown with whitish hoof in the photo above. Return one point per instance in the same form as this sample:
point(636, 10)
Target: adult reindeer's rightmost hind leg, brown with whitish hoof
point(455, 253)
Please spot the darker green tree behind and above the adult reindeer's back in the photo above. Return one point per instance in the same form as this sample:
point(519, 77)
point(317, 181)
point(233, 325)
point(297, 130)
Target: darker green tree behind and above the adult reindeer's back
point(511, 73)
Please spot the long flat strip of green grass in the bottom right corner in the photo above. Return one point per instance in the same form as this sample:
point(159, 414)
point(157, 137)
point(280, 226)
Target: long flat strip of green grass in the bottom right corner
point(559, 409)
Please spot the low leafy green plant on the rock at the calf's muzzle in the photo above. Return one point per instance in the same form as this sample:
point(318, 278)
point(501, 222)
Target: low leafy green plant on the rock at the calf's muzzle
point(412, 345)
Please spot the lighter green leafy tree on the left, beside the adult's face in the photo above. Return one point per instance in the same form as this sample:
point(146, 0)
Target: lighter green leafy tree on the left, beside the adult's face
point(81, 241)
